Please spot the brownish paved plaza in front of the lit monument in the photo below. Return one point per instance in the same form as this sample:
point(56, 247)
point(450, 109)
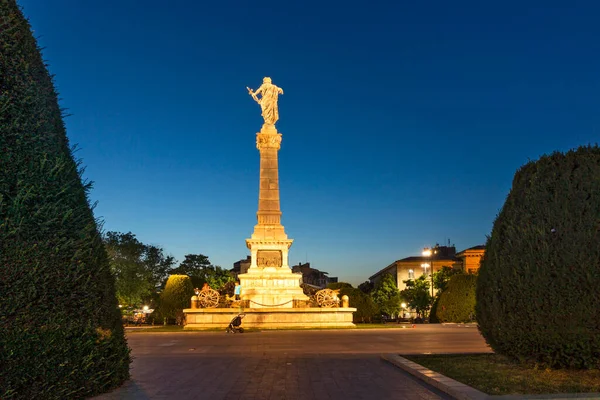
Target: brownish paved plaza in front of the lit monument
point(316, 364)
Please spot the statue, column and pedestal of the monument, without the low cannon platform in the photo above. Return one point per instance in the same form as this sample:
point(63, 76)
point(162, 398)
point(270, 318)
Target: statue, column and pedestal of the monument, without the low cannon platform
point(269, 281)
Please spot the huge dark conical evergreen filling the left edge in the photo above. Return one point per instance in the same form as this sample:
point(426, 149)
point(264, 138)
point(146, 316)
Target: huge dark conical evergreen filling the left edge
point(60, 328)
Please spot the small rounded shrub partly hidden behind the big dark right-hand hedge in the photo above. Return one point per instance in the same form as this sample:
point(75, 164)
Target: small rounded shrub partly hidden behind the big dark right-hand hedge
point(457, 302)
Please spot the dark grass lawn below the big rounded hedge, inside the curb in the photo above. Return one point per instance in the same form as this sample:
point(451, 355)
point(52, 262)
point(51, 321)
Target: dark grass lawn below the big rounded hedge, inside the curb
point(497, 375)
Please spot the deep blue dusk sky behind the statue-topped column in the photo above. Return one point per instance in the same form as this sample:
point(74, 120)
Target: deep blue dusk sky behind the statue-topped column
point(403, 122)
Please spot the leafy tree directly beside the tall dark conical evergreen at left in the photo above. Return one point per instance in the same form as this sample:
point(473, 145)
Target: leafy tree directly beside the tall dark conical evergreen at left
point(140, 269)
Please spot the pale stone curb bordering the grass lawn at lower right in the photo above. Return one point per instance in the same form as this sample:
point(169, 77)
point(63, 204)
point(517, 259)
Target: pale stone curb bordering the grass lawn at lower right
point(461, 391)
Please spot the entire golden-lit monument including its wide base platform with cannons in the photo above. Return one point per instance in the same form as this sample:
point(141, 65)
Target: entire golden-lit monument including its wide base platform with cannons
point(271, 294)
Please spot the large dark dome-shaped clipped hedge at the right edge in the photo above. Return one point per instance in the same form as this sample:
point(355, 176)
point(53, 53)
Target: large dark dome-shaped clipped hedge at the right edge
point(538, 288)
